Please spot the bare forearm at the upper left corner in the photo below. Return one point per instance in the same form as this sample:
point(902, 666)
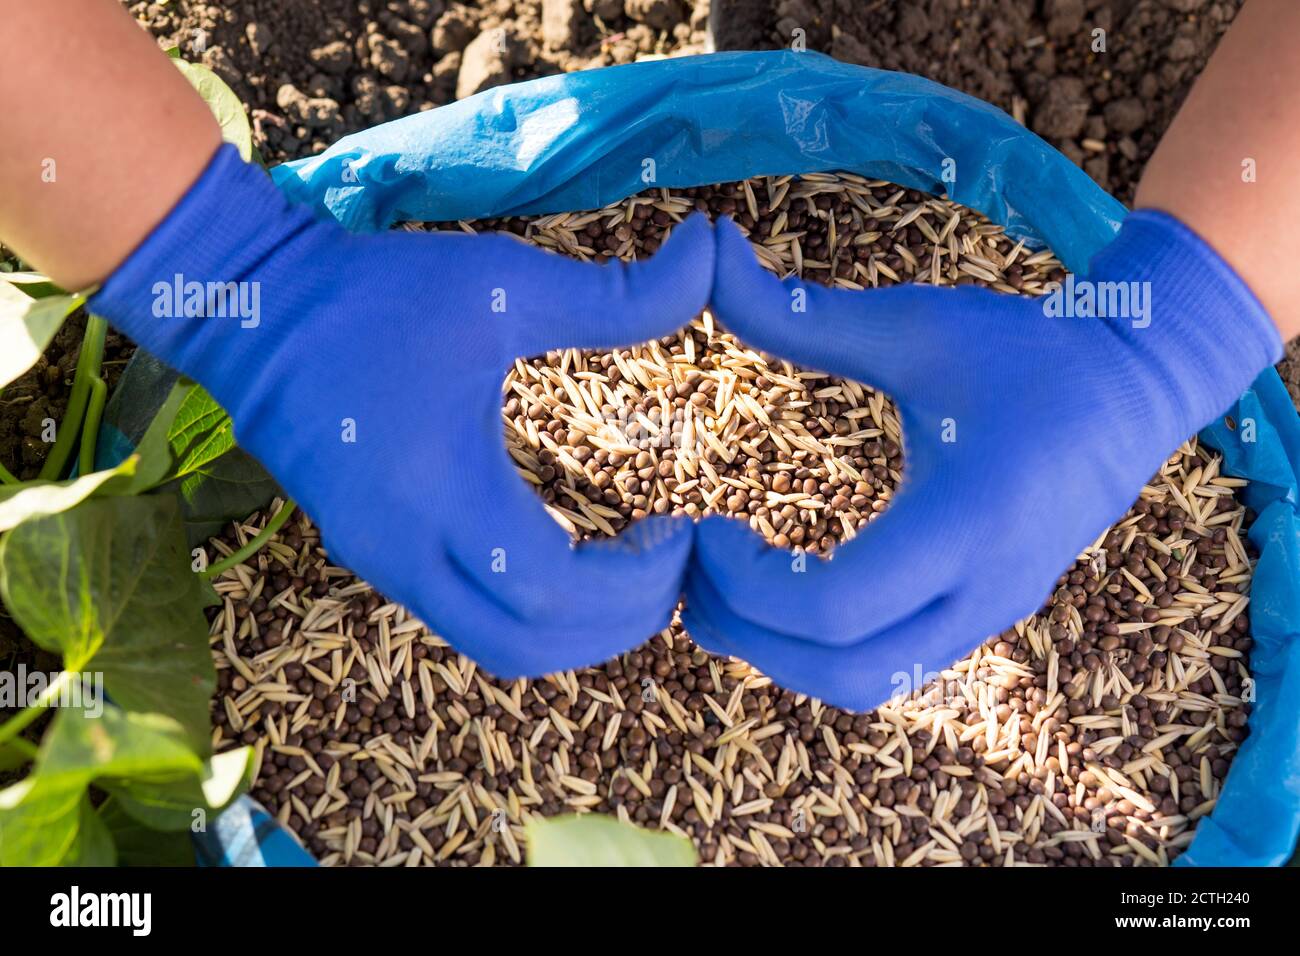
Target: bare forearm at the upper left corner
point(99, 139)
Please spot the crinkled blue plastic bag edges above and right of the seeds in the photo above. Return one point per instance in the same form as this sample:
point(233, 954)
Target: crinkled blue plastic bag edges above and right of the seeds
point(584, 140)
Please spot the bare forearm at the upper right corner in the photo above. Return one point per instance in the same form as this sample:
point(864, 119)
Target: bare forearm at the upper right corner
point(1228, 165)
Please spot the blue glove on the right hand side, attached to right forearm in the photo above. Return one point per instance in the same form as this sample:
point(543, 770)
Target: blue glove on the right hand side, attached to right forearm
point(1059, 423)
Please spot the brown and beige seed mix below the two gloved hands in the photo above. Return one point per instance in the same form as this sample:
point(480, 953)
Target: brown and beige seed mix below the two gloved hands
point(1097, 733)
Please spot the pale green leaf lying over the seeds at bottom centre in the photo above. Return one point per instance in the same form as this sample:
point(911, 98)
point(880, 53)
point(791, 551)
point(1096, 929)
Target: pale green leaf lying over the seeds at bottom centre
point(593, 840)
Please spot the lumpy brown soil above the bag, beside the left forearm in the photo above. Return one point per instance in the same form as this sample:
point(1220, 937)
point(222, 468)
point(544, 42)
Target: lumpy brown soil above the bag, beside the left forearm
point(314, 71)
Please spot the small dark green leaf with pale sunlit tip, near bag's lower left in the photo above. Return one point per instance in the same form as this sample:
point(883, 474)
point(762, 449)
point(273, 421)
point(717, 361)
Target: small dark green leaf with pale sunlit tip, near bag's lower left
point(171, 804)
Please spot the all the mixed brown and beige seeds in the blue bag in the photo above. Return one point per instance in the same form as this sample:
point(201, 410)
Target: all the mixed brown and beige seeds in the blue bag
point(1095, 733)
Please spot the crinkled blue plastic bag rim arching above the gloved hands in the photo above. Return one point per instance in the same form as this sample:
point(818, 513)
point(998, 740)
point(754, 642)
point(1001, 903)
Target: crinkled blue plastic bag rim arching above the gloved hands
point(584, 140)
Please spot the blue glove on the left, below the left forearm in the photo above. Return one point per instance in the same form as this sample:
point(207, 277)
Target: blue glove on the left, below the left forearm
point(402, 341)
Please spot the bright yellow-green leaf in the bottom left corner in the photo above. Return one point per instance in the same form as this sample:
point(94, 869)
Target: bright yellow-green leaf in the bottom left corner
point(42, 817)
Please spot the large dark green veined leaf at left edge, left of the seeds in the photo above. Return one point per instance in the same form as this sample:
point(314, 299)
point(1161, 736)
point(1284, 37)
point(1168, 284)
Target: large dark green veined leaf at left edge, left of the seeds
point(110, 585)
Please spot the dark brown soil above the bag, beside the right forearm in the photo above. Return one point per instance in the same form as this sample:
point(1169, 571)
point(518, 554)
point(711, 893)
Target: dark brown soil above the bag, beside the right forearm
point(1034, 59)
